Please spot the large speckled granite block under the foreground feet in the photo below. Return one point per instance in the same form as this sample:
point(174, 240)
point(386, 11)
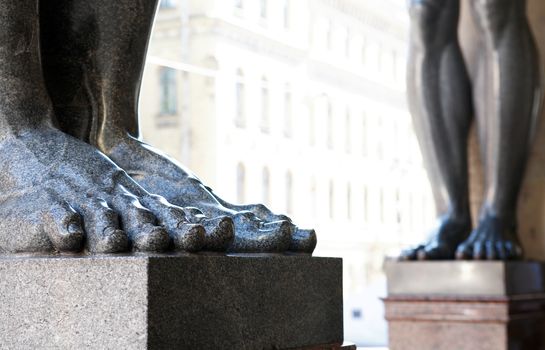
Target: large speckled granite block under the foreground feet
point(167, 302)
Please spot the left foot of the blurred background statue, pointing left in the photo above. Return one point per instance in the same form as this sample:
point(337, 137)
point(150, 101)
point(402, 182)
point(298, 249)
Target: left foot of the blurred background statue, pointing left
point(443, 242)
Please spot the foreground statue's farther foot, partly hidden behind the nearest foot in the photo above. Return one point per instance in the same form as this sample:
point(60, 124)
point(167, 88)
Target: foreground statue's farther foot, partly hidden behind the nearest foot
point(254, 232)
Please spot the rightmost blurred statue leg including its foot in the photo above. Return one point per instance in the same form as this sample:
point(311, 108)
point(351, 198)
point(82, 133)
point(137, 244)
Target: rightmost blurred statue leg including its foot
point(507, 96)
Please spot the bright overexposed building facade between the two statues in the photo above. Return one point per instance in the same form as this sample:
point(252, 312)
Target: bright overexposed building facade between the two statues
point(298, 104)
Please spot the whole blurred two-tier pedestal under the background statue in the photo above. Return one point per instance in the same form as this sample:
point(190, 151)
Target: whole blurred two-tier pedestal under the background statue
point(466, 305)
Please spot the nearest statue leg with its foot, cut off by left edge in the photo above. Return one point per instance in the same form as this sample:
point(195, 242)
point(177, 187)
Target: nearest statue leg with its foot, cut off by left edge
point(58, 193)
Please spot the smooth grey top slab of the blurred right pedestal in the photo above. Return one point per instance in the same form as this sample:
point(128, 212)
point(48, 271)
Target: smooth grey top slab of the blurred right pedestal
point(471, 278)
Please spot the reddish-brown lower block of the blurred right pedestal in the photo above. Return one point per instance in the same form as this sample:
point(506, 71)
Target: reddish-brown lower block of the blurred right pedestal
point(458, 325)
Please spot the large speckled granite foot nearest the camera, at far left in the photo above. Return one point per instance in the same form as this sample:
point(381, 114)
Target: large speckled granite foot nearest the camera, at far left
point(60, 194)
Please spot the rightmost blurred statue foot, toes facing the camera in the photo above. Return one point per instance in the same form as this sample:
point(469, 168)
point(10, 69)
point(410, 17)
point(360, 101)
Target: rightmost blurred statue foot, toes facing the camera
point(493, 239)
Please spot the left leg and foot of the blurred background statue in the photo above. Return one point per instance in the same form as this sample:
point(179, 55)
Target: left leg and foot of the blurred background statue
point(439, 96)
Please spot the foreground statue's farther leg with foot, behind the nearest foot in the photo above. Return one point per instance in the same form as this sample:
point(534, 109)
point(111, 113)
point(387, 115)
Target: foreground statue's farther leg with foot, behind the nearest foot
point(93, 54)
